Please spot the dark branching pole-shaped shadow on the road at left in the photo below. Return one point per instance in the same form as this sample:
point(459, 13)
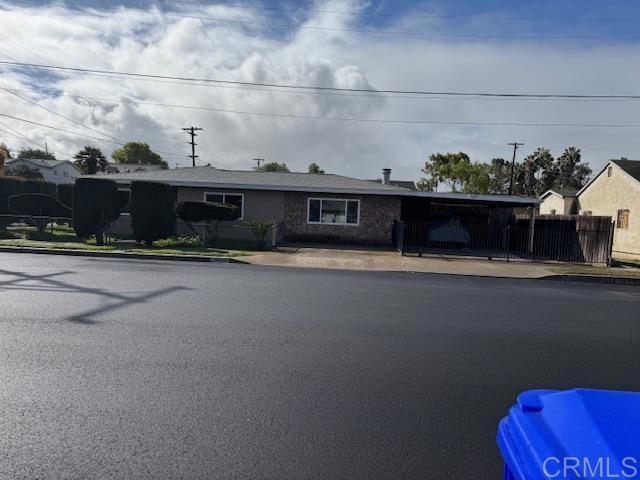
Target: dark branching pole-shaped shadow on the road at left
point(50, 282)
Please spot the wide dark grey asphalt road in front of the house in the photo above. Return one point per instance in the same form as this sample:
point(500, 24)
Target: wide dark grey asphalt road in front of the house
point(115, 369)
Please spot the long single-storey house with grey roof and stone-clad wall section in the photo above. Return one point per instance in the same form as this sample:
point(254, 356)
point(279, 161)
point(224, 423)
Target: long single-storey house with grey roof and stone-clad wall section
point(310, 207)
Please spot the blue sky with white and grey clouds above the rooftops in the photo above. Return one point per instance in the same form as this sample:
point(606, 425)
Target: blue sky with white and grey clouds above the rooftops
point(581, 46)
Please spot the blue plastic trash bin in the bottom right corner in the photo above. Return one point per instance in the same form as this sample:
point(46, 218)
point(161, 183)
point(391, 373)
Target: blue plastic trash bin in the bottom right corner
point(572, 434)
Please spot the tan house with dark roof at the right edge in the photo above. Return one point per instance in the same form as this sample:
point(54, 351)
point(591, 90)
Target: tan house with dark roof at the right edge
point(615, 192)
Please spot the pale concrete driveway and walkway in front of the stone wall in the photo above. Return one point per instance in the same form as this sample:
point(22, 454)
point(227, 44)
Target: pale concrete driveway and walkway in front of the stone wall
point(392, 261)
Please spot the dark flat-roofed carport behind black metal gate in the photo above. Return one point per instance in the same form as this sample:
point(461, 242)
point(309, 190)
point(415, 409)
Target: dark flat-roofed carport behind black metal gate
point(466, 224)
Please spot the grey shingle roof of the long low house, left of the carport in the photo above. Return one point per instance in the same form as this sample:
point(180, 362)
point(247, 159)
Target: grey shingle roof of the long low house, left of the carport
point(207, 176)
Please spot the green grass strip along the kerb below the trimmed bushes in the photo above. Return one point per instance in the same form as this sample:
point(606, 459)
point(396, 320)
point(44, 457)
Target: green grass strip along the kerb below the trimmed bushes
point(63, 238)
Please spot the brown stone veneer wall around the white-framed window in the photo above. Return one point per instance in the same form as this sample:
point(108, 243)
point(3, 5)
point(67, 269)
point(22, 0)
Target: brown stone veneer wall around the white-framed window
point(377, 213)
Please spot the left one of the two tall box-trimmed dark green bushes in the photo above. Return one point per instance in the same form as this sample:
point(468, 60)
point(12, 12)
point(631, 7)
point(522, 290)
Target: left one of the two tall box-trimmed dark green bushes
point(95, 206)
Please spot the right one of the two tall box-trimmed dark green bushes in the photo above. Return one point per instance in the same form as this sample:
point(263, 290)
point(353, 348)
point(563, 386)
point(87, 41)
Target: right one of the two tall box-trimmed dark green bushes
point(151, 208)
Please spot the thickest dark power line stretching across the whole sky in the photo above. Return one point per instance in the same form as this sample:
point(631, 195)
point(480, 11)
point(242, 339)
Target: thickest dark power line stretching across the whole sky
point(321, 88)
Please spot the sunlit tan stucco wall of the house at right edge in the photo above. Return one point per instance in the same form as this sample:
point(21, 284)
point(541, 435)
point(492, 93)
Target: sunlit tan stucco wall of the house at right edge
point(605, 196)
